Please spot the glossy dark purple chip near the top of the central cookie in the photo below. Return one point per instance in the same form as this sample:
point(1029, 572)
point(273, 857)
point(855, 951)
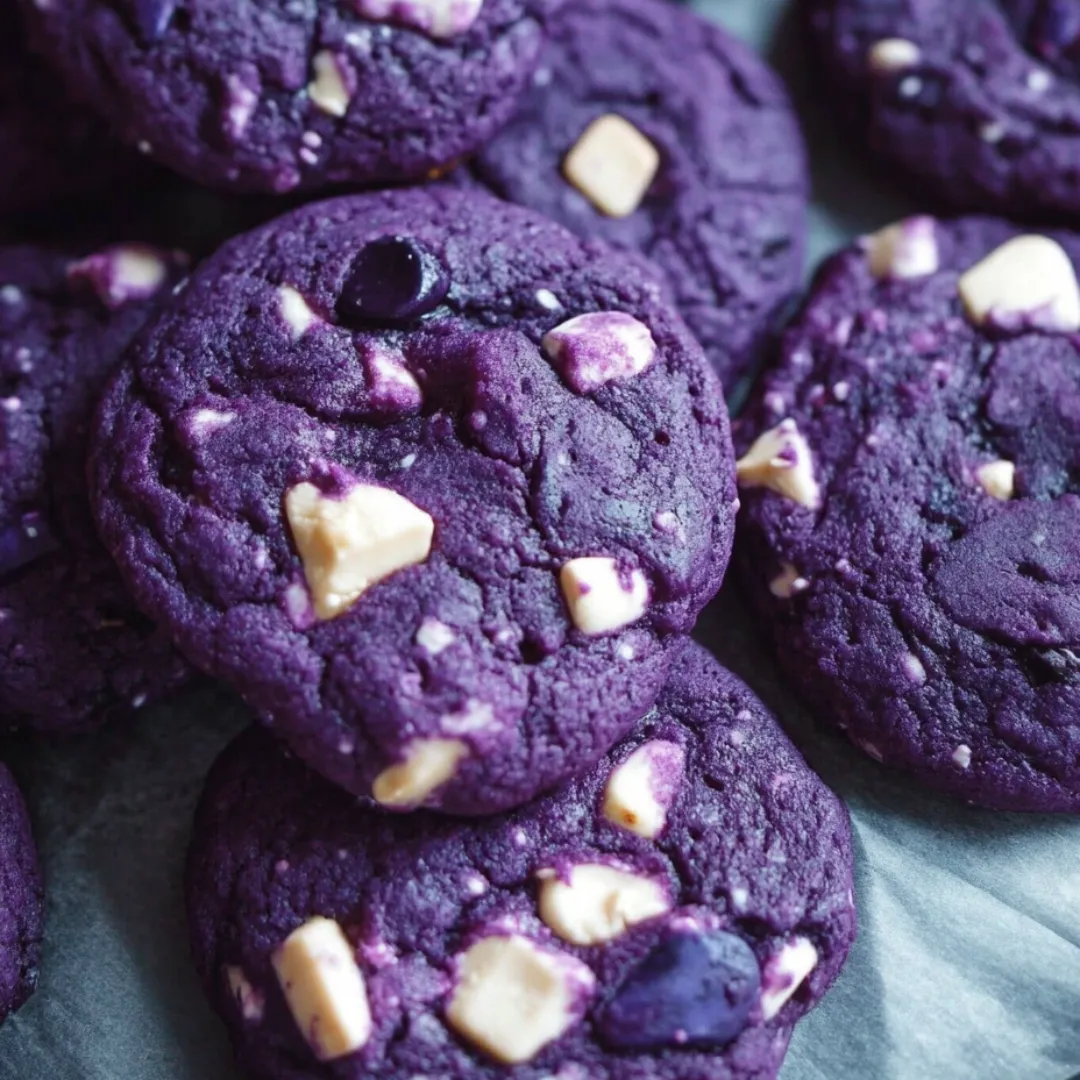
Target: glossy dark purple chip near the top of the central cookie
point(394, 280)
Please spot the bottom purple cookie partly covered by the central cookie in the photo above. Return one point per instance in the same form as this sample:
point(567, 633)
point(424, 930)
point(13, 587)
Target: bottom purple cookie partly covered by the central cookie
point(669, 916)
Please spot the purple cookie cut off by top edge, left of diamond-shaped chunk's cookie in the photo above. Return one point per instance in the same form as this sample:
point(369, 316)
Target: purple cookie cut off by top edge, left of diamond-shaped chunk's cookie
point(281, 97)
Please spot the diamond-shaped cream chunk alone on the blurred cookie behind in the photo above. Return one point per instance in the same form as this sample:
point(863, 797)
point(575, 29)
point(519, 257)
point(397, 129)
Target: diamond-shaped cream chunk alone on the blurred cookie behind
point(613, 165)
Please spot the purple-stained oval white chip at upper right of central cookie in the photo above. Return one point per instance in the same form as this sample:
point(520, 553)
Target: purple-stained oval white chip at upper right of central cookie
point(599, 348)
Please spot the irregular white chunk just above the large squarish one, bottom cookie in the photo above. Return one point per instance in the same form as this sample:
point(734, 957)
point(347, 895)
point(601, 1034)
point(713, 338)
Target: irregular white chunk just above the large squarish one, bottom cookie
point(599, 903)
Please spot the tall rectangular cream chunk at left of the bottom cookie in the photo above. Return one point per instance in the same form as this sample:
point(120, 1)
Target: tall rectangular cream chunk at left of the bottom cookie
point(325, 989)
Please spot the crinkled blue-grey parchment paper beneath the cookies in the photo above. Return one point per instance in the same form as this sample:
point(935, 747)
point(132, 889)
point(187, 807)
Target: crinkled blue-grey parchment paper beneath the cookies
point(968, 964)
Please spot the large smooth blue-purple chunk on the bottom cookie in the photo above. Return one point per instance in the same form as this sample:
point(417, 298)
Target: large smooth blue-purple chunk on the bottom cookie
point(694, 990)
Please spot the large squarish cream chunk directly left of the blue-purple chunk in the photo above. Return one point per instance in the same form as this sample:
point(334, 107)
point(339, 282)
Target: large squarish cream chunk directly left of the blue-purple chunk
point(515, 997)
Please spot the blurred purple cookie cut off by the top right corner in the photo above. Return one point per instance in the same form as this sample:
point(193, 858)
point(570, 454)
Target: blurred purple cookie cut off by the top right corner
point(976, 102)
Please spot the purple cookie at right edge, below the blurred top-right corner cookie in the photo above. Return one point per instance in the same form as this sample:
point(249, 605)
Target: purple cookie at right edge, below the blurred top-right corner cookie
point(911, 523)
